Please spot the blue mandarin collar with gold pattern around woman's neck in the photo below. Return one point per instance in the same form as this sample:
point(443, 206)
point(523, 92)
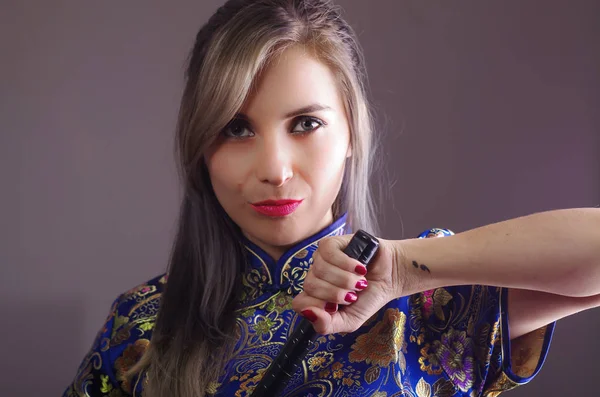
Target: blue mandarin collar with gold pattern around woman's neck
point(287, 274)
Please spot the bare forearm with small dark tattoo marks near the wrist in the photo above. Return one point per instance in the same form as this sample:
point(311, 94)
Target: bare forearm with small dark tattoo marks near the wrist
point(556, 252)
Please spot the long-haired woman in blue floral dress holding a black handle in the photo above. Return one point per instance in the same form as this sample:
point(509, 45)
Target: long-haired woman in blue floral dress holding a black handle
point(274, 143)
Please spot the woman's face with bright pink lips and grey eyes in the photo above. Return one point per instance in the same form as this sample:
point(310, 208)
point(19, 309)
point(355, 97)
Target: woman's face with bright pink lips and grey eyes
point(290, 141)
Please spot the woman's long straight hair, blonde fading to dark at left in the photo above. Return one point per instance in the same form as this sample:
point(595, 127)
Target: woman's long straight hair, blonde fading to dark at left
point(195, 329)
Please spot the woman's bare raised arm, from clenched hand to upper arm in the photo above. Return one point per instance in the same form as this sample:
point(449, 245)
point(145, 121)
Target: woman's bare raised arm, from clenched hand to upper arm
point(554, 253)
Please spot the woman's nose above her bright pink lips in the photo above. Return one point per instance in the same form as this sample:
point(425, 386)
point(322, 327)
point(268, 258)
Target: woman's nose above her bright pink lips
point(274, 160)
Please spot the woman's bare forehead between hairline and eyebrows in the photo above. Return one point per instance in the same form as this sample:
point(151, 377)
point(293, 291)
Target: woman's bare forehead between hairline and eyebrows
point(291, 80)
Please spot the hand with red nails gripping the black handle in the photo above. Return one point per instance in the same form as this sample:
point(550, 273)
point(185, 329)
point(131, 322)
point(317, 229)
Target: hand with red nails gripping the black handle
point(336, 279)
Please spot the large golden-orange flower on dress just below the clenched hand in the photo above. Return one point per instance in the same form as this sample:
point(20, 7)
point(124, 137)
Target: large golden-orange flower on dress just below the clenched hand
point(383, 344)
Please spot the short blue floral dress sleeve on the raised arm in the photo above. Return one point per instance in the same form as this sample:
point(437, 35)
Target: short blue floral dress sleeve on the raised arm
point(464, 336)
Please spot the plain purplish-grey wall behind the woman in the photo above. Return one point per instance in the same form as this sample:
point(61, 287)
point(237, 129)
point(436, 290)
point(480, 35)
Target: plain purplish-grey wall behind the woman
point(489, 109)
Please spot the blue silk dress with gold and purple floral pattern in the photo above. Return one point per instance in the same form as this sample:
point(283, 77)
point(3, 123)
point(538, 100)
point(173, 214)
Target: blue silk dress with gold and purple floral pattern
point(450, 341)
